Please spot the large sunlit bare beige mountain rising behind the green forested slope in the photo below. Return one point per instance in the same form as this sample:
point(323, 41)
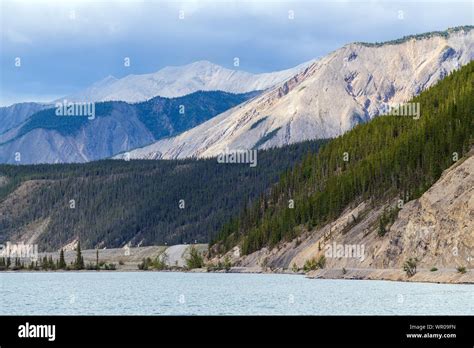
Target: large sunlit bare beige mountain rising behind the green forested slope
point(348, 86)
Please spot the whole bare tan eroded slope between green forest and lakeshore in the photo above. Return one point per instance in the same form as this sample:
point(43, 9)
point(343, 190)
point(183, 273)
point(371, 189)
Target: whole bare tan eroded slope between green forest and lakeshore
point(437, 229)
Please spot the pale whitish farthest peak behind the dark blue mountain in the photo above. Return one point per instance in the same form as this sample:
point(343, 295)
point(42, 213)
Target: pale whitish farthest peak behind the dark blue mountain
point(178, 81)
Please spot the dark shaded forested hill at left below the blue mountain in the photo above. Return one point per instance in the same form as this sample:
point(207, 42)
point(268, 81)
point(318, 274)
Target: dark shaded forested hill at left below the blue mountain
point(109, 203)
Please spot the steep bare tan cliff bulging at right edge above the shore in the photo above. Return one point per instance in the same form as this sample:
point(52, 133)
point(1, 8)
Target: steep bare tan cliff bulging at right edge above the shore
point(438, 228)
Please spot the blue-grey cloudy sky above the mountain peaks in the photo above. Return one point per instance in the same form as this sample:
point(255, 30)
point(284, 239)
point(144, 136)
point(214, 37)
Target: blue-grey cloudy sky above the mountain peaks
point(65, 46)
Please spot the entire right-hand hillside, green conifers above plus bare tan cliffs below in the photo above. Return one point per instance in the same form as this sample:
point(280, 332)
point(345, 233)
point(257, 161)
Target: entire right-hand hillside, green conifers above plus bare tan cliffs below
point(396, 196)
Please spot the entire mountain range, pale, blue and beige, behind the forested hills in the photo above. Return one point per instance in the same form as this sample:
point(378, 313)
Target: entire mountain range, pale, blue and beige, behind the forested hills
point(315, 100)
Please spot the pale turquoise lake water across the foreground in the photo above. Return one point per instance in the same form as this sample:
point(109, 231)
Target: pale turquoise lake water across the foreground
point(162, 293)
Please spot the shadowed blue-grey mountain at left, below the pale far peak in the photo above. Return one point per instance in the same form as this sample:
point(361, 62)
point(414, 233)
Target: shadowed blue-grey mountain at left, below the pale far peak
point(115, 127)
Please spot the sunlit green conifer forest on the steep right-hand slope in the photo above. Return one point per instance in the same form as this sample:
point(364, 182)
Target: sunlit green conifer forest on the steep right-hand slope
point(388, 157)
